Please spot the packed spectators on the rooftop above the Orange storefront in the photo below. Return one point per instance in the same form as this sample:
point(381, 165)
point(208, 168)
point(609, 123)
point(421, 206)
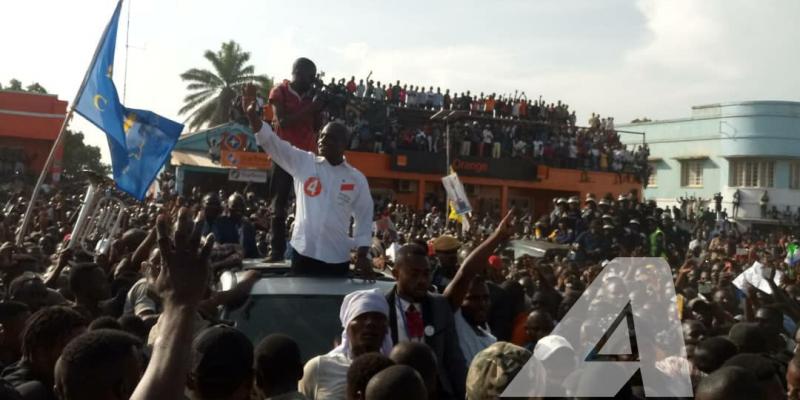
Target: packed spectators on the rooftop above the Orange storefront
point(381, 119)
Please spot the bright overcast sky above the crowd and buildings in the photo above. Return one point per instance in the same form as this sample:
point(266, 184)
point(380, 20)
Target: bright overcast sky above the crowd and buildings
point(623, 58)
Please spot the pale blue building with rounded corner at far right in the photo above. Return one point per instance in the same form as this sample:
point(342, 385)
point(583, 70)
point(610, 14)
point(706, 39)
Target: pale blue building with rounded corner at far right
point(751, 147)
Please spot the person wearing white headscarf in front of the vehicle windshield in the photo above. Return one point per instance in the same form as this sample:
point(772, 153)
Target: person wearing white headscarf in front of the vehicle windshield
point(364, 315)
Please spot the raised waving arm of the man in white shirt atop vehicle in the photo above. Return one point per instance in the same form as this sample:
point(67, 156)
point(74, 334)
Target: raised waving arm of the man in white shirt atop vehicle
point(282, 152)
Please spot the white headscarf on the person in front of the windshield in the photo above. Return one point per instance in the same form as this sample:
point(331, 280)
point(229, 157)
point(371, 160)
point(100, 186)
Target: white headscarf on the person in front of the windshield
point(355, 304)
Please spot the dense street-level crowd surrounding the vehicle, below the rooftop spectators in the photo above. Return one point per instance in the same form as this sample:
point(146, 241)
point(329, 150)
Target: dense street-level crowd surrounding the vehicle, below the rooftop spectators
point(140, 318)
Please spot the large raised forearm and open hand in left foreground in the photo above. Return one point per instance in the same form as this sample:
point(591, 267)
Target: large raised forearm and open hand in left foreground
point(181, 284)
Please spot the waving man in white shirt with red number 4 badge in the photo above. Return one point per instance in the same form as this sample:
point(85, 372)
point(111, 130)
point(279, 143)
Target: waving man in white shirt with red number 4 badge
point(328, 191)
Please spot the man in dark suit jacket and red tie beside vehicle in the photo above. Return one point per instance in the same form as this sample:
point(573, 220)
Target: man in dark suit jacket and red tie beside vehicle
point(417, 315)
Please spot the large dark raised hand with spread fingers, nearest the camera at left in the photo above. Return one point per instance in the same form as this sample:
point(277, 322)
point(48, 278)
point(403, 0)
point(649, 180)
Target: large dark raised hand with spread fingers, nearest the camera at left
point(184, 273)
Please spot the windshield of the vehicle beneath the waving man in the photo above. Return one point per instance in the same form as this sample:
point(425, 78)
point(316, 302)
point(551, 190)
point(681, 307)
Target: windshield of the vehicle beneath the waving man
point(311, 320)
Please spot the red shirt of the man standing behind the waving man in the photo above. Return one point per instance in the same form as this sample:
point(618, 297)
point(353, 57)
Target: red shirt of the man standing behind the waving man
point(300, 133)
